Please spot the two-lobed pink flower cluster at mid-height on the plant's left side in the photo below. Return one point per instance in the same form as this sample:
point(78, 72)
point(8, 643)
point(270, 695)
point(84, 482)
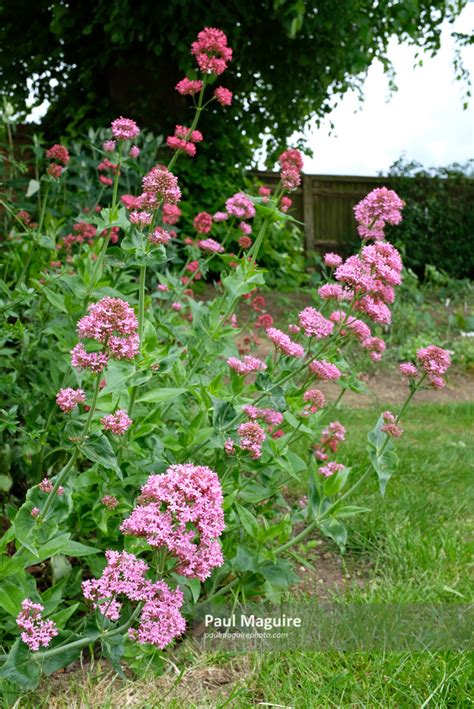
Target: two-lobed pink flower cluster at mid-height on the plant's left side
point(111, 322)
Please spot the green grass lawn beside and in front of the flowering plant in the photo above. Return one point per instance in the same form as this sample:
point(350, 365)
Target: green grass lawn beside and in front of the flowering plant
point(414, 548)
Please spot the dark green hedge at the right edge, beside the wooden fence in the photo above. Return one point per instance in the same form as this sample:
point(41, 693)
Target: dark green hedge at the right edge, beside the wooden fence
point(438, 220)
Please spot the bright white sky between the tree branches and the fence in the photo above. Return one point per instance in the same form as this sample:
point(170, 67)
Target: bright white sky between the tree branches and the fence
point(424, 120)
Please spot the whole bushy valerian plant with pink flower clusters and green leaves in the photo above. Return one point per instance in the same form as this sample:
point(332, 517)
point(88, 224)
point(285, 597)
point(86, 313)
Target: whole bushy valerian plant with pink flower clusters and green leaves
point(150, 447)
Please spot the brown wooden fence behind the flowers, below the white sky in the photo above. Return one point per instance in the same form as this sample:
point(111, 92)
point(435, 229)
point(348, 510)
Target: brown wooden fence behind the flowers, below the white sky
point(324, 204)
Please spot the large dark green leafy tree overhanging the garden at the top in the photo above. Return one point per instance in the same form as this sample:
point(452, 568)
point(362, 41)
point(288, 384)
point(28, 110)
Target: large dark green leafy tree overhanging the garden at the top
point(96, 59)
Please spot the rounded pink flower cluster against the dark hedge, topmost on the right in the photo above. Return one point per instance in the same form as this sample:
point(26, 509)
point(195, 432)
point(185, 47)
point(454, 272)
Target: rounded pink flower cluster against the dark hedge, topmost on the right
point(380, 207)
